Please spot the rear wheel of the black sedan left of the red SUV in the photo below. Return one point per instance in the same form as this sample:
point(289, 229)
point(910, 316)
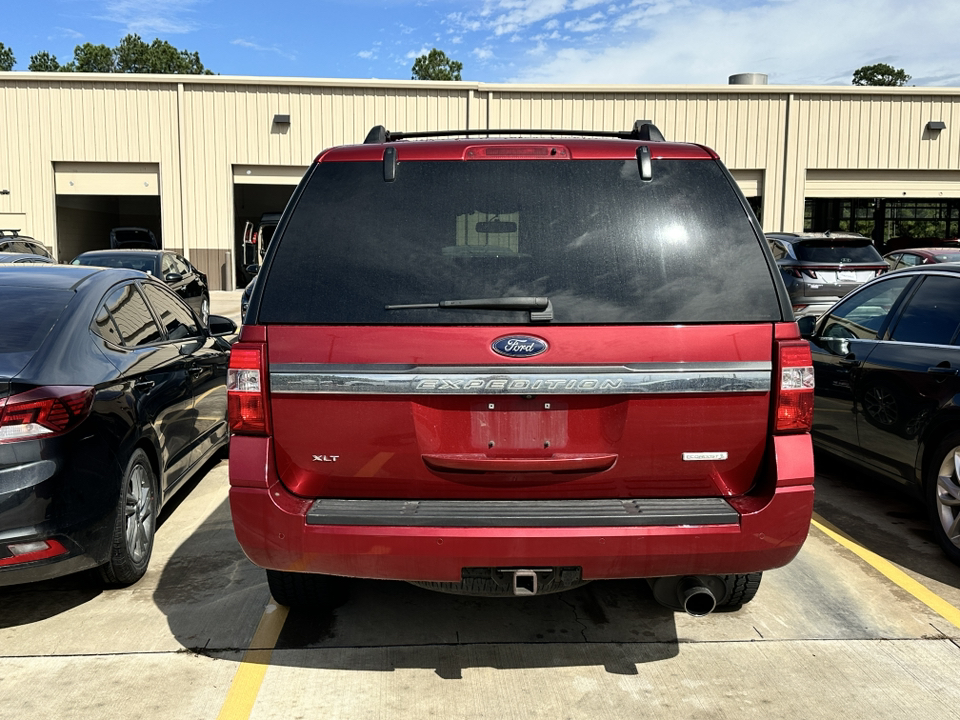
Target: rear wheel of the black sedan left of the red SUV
point(135, 525)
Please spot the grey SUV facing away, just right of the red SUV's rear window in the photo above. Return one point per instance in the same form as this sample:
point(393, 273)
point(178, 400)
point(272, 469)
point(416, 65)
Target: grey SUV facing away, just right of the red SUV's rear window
point(820, 268)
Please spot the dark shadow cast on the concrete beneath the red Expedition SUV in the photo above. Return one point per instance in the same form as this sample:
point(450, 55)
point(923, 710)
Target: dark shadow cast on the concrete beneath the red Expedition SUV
point(213, 598)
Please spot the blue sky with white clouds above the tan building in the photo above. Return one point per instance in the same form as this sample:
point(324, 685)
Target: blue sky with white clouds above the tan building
point(802, 42)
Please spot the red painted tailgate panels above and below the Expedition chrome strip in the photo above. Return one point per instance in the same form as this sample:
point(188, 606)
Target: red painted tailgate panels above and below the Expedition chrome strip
point(380, 440)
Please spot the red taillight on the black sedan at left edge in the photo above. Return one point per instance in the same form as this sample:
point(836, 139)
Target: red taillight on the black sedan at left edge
point(43, 412)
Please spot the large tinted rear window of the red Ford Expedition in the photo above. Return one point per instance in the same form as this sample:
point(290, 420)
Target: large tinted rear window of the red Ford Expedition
point(590, 235)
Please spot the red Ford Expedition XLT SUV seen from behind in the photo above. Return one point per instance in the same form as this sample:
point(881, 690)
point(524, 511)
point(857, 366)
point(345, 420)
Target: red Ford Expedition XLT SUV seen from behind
point(516, 365)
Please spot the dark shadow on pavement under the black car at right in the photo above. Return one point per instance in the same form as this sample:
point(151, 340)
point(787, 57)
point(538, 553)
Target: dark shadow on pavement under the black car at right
point(881, 516)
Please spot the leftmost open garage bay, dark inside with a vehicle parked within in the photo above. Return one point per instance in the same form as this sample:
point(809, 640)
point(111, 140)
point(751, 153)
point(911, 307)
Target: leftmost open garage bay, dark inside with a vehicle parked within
point(84, 222)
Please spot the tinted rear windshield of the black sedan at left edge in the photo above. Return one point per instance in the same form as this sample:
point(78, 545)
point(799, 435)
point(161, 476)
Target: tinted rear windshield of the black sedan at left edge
point(28, 315)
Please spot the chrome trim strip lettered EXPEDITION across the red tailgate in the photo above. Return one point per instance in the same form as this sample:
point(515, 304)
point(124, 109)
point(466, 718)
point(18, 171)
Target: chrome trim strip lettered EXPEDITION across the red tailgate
point(683, 378)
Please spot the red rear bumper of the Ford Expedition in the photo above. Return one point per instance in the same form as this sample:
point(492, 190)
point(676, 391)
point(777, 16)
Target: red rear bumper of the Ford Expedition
point(272, 527)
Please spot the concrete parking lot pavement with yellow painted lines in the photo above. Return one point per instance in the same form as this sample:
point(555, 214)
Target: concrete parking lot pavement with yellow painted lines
point(865, 623)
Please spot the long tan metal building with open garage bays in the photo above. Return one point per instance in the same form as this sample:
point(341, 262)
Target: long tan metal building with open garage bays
point(194, 158)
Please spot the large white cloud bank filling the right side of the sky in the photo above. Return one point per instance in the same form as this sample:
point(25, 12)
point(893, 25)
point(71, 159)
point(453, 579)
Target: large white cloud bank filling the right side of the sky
point(701, 41)
